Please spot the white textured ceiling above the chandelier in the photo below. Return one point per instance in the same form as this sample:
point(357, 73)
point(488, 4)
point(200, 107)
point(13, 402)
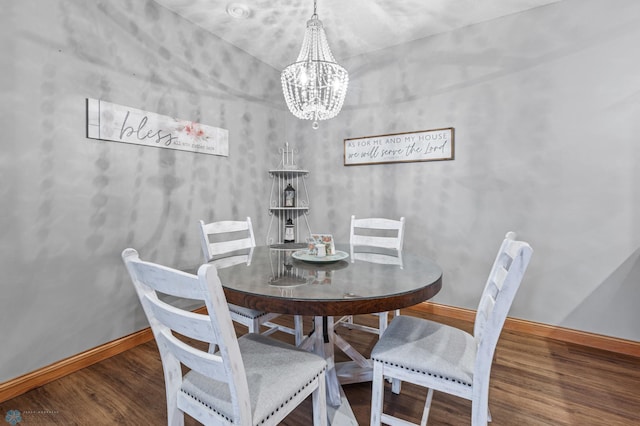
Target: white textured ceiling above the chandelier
point(274, 29)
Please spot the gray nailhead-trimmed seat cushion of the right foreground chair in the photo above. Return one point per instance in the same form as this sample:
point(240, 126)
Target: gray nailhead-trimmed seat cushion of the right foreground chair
point(428, 347)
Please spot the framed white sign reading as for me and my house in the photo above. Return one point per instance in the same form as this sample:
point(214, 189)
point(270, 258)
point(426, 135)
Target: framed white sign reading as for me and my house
point(426, 145)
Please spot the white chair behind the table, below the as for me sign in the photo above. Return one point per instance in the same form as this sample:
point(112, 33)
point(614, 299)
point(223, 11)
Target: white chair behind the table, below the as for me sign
point(382, 233)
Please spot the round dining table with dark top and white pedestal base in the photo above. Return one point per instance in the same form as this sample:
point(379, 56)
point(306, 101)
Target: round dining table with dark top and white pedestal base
point(283, 279)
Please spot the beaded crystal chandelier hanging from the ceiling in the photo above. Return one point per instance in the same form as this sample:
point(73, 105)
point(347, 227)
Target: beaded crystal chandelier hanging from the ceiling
point(315, 85)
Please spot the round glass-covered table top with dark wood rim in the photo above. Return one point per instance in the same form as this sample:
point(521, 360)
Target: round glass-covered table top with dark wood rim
point(271, 280)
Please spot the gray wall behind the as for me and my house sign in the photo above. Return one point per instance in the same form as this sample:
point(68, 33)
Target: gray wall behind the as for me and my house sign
point(545, 106)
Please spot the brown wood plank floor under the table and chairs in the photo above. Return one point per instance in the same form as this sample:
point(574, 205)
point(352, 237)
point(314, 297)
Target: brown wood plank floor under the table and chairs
point(534, 381)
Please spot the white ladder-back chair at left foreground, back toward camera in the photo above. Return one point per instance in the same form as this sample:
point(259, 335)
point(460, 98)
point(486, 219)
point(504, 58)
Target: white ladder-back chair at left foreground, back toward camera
point(251, 380)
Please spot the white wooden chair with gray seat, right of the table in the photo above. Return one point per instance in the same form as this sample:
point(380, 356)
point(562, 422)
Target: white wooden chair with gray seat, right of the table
point(447, 359)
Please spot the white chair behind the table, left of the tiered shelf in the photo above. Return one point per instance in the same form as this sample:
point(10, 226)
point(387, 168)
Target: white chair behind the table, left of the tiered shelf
point(225, 237)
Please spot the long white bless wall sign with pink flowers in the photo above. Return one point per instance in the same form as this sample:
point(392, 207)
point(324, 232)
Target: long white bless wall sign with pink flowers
point(112, 122)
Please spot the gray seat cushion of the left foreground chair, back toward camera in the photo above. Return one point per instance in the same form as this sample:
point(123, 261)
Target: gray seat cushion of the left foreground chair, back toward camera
point(275, 371)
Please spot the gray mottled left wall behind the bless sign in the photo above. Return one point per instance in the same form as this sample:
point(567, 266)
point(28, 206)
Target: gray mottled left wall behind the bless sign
point(70, 205)
